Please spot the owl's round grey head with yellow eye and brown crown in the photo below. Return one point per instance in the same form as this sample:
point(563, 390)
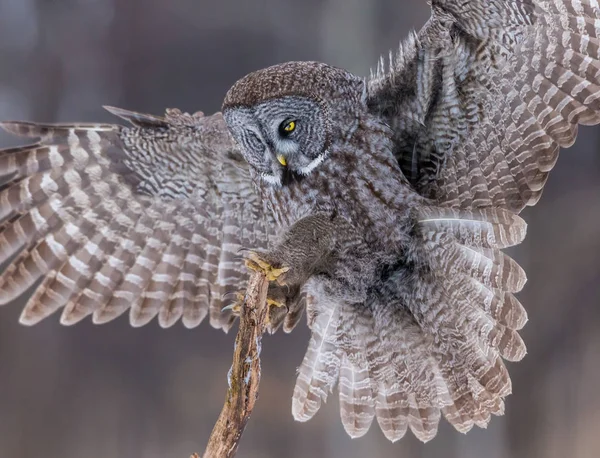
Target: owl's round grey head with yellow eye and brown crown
point(286, 118)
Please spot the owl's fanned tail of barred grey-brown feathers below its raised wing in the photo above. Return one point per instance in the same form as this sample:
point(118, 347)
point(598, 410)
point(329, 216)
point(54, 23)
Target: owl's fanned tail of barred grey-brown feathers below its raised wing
point(437, 347)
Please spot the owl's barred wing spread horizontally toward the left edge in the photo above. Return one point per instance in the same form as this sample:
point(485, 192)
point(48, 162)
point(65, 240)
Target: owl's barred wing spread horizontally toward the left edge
point(106, 218)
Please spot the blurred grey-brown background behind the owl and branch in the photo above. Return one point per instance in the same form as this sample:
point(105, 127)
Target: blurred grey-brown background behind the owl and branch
point(113, 391)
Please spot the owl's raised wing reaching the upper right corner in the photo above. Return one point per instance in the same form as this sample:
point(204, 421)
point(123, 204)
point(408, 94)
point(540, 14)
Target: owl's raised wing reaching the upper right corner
point(481, 100)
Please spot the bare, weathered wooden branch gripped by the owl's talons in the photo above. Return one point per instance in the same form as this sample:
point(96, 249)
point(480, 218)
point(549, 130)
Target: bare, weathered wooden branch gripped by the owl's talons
point(244, 375)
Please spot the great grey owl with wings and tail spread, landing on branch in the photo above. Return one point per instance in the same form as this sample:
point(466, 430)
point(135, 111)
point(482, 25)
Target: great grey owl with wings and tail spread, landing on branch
point(380, 205)
